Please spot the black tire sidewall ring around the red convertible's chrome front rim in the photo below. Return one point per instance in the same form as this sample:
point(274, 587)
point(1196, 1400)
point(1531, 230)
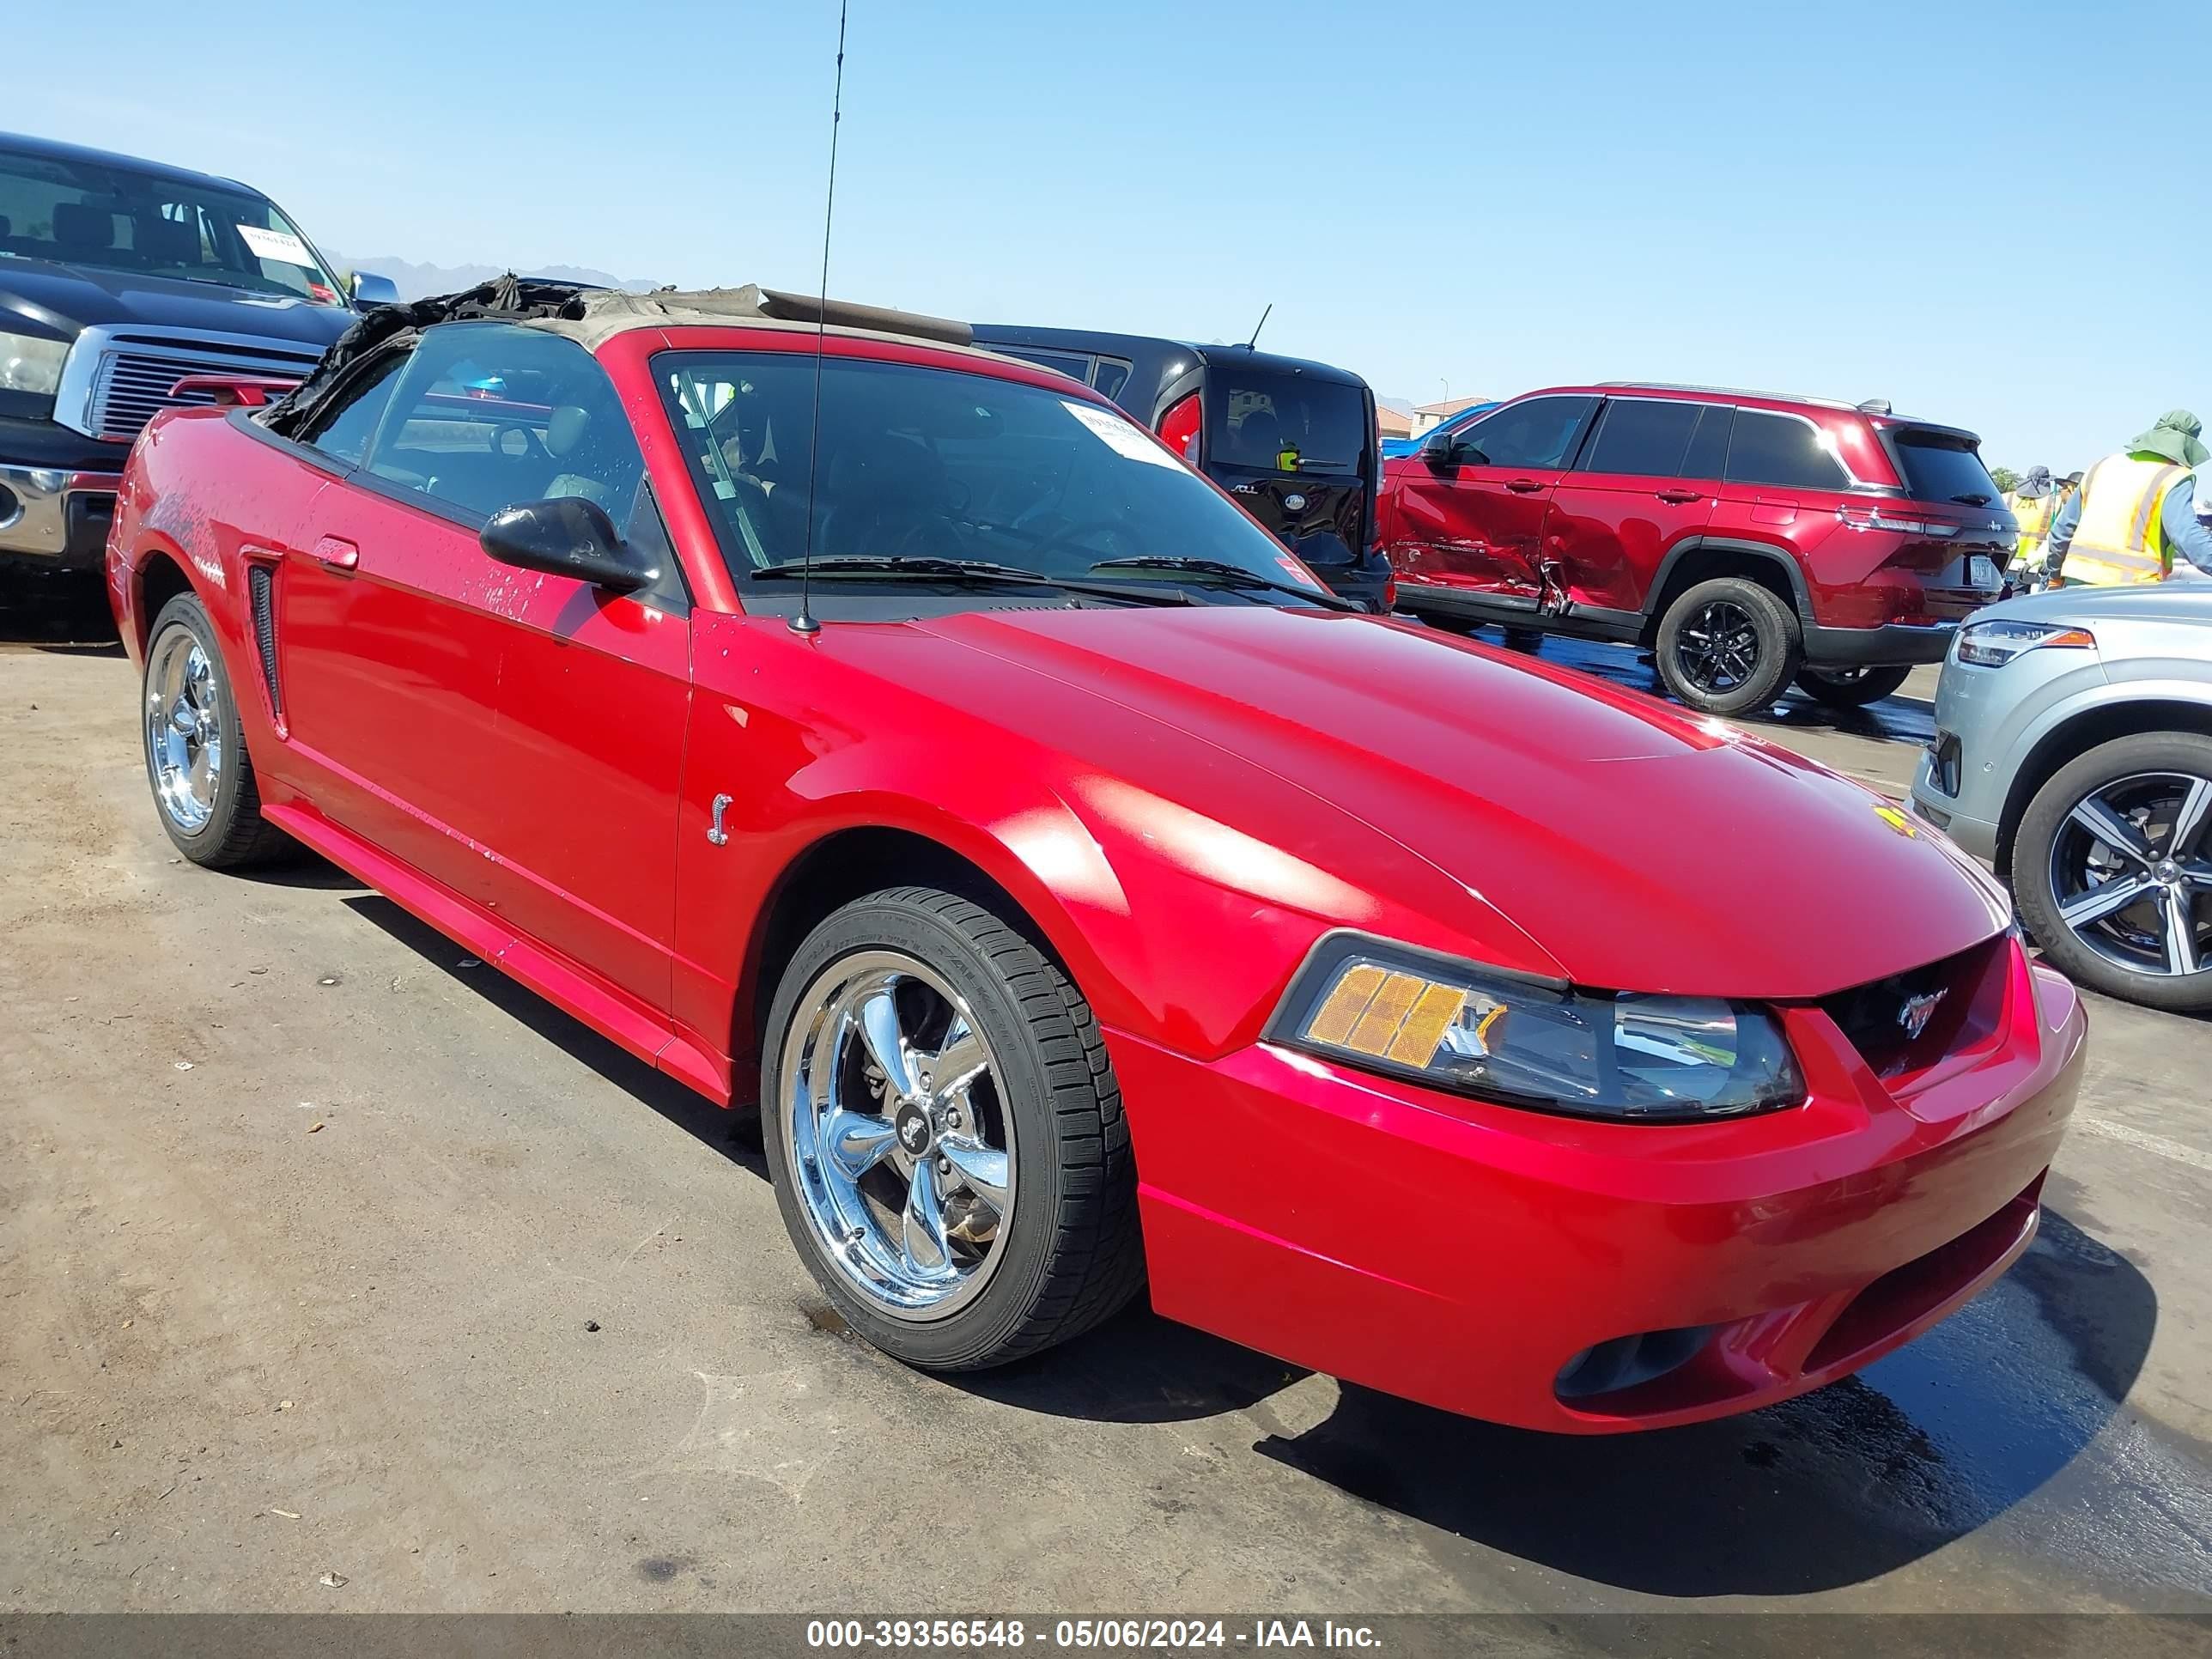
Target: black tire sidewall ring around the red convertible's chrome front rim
point(968, 1337)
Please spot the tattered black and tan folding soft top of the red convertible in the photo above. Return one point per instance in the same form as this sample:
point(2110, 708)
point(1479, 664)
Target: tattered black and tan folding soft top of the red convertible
point(589, 315)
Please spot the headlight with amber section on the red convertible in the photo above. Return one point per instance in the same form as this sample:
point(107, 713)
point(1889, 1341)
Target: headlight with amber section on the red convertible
point(1534, 1043)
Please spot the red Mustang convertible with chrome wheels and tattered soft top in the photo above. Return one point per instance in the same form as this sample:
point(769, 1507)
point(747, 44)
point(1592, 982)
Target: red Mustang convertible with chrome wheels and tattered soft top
point(897, 731)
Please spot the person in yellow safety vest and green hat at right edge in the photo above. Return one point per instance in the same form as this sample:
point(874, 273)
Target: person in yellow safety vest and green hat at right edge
point(2136, 514)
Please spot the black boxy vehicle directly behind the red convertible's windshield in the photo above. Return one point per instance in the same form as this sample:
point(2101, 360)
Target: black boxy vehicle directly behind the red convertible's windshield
point(1293, 441)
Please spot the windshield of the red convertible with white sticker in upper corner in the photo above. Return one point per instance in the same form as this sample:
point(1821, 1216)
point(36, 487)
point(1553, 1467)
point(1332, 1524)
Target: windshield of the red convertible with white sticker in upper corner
point(928, 463)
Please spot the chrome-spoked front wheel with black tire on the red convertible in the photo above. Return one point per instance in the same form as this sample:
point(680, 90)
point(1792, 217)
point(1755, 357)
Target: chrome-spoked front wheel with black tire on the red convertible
point(946, 1134)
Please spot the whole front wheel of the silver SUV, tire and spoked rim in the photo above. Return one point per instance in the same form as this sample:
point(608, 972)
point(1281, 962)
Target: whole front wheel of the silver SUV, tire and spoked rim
point(2114, 870)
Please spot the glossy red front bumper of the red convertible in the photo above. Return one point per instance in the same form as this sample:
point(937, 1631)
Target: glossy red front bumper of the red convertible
point(1468, 1255)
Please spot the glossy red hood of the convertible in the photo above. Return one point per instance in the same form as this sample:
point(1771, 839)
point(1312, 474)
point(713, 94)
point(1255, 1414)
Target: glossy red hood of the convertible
point(1636, 846)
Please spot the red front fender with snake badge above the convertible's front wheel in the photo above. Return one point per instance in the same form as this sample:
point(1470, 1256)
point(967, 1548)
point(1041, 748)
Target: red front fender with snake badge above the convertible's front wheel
point(1173, 928)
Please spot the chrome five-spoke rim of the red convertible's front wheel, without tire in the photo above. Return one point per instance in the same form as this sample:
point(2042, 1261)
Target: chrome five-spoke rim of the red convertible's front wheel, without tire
point(897, 1145)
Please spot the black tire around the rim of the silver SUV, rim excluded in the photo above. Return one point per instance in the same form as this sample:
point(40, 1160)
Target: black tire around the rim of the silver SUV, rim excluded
point(2032, 866)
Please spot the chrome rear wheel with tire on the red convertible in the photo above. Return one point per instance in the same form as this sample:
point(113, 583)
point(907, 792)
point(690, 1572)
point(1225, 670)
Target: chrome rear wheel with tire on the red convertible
point(196, 749)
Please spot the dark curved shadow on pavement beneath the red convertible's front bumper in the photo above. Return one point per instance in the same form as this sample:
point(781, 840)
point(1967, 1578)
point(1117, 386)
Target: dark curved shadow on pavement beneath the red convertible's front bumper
point(1824, 1492)
